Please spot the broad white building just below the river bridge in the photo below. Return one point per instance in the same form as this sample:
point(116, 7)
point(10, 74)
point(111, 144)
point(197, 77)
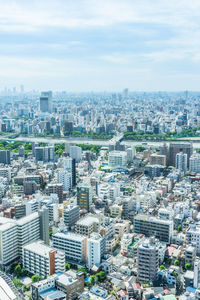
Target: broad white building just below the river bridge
point(117, 159)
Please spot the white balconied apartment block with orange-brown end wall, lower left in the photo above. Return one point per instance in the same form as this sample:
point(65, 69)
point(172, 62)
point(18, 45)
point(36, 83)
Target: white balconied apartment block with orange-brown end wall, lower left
point(40, 259)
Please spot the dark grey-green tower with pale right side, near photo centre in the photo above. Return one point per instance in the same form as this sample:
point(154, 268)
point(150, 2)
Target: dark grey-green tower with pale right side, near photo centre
point(84, 196)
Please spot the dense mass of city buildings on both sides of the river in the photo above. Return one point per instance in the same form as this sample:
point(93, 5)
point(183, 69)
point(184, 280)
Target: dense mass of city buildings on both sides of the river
point(119, 223)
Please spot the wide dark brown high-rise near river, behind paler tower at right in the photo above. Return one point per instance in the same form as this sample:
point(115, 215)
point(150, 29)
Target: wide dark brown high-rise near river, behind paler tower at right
point(175, 148)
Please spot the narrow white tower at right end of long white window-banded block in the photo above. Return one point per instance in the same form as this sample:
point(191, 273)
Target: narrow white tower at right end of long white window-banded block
point(96, 249)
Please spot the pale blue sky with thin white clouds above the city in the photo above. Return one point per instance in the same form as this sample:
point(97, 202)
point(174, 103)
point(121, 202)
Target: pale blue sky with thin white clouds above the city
point(100, 45)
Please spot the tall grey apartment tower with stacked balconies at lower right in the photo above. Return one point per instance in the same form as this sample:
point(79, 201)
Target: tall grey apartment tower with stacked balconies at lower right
point(148, 260)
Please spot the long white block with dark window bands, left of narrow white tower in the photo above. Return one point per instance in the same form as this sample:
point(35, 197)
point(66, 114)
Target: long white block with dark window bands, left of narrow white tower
point(74, 245)
